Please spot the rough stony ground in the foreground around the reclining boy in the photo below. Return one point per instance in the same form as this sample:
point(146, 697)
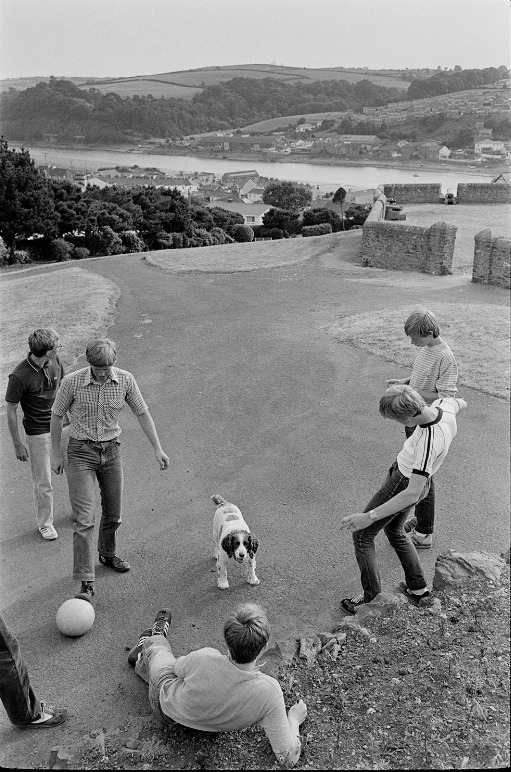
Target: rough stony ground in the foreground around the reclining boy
point(395, 687)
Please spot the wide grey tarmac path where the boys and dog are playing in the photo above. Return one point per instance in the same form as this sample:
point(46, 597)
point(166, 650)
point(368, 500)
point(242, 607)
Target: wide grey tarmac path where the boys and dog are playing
point(252, 400)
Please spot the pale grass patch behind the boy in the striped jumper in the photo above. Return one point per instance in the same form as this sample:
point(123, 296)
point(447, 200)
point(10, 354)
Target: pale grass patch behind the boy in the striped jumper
point(478, 336)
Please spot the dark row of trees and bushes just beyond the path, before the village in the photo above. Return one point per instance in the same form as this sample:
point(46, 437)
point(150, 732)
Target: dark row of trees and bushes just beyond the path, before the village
point(43, 219)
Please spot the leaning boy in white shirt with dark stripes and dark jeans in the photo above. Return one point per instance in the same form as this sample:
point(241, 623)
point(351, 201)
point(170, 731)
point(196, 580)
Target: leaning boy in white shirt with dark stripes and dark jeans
point(406, 484)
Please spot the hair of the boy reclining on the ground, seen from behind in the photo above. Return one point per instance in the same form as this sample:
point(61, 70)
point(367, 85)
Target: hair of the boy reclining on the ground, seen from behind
point(246, 632)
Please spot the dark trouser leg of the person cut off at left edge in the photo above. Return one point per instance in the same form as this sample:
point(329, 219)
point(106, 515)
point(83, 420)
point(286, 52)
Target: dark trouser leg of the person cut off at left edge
point(16, 693)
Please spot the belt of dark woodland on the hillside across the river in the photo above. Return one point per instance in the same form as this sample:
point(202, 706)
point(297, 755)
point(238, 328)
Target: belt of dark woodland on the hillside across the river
point(61, 108)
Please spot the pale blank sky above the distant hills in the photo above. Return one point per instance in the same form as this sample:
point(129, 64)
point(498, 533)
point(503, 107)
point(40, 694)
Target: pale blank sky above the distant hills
point(134, 37)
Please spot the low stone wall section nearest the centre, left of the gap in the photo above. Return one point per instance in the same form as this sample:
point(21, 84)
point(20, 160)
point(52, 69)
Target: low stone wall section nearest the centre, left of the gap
point(409, 247)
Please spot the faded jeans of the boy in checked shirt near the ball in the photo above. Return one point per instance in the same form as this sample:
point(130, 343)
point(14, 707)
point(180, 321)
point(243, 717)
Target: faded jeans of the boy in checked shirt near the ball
point(89, 462)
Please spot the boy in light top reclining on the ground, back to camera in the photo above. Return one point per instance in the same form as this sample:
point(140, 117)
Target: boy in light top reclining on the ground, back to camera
point(214, 692)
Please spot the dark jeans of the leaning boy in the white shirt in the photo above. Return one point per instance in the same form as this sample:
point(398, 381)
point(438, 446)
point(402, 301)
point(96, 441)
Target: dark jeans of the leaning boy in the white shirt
point(401, 543)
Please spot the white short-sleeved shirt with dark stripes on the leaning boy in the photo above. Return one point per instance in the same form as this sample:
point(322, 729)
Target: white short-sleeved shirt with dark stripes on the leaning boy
point(425, 450)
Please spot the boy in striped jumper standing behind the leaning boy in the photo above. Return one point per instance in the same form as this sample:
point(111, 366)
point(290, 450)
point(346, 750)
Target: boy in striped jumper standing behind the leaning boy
point(434, 374)
